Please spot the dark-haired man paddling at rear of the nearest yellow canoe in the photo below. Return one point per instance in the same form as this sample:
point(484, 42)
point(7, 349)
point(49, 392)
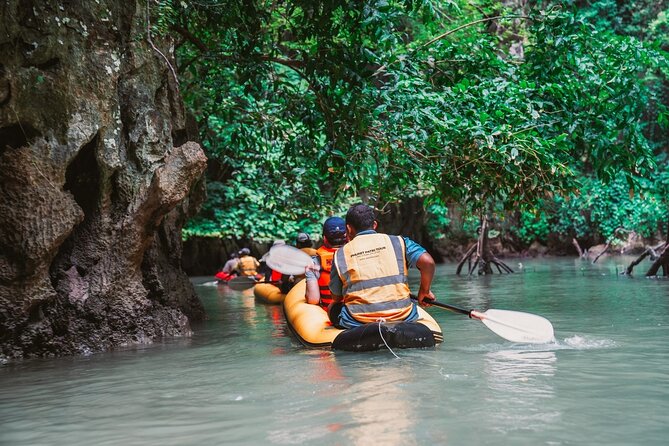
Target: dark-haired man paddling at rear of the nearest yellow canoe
point(369, 277)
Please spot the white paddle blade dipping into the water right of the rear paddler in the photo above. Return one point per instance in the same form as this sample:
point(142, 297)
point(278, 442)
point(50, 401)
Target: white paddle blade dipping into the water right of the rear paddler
point(516, 326)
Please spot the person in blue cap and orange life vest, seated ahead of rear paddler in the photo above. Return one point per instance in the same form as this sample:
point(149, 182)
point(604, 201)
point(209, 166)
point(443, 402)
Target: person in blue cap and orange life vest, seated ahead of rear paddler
point(318, 275)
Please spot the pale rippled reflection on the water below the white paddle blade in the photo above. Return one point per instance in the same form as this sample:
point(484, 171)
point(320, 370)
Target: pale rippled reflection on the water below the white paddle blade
point(521, 385)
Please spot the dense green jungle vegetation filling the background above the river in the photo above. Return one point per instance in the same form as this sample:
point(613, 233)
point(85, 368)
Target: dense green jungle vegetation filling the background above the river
point(546, 117)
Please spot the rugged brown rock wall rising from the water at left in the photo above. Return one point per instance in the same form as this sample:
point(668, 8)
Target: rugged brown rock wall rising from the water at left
point(96, 165)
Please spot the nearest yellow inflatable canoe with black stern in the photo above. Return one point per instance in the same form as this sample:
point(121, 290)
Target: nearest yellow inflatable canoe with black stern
point(311, 325)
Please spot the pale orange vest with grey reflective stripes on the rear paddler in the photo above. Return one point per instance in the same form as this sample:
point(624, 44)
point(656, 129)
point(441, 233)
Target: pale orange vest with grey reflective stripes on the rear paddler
point(373, 271)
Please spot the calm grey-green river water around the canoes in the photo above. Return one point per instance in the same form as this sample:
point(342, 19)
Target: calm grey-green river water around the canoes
point(242, 380)
